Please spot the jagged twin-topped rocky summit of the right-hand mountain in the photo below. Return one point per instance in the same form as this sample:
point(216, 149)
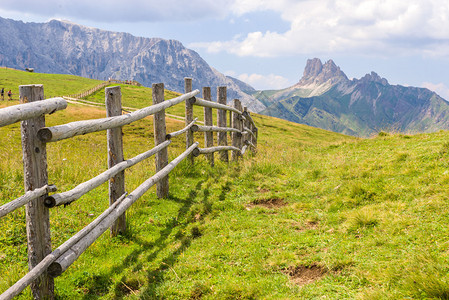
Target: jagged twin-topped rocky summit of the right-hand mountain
point(317, 73)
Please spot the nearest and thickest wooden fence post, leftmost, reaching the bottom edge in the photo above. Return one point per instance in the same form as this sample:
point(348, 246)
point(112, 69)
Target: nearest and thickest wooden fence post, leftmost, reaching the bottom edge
point(35, 176)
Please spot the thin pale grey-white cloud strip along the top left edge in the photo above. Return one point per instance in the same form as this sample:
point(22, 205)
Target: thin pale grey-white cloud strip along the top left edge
point(120, 11)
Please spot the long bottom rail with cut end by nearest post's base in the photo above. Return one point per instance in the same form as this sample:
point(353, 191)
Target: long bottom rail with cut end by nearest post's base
point(68, 257)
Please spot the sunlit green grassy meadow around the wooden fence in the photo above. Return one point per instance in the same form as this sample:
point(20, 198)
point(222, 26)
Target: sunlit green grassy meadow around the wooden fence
point(313, 214)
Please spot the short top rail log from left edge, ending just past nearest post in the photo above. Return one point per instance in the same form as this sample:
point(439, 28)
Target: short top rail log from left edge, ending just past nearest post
point(25, 111)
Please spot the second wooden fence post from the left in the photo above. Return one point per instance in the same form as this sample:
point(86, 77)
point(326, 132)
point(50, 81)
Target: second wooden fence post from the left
point(113, 101)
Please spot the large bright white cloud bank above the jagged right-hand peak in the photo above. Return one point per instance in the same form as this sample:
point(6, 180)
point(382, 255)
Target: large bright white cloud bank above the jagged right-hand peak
point(330, 26)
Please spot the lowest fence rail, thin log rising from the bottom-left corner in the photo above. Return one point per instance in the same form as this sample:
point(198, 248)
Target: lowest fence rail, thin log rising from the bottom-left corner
point(42, 267)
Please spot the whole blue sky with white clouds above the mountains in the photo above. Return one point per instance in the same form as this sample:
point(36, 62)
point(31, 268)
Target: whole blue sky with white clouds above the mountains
point(266, 43)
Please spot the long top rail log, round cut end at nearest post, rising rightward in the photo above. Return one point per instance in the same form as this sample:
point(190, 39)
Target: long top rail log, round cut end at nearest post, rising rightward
point(60, 132)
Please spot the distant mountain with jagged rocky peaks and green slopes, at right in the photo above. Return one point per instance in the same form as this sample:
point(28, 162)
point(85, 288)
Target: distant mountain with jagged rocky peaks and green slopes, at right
point(326, 98)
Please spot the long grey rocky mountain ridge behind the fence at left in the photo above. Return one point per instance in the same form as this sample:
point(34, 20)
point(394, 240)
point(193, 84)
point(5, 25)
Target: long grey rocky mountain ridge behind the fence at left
point(67, 48)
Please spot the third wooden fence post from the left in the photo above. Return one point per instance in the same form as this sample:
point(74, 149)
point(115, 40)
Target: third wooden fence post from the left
point(160, 132)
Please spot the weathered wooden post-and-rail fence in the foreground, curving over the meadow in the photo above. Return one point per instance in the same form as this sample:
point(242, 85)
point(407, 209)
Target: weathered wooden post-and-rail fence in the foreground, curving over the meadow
point(45, 264)
